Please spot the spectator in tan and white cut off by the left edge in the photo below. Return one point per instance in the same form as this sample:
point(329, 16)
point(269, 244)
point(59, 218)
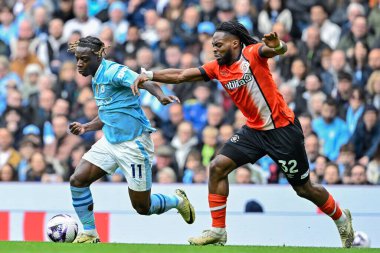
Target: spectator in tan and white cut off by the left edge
point(8, 155)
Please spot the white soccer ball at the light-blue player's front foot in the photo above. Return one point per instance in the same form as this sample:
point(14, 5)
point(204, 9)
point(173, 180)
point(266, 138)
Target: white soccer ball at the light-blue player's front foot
point(62, 228)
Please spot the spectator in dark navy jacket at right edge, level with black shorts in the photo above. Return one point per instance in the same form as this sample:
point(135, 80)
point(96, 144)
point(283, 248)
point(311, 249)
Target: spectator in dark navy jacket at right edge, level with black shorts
point(366, 137)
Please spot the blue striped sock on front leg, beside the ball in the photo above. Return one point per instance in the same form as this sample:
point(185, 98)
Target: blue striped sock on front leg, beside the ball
point(83, 205)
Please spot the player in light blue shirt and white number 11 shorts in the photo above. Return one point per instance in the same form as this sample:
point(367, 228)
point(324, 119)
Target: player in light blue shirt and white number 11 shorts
point(126, 142)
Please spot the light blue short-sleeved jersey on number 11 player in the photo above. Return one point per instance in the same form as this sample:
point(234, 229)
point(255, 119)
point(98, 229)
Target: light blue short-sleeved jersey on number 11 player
point(119, 109)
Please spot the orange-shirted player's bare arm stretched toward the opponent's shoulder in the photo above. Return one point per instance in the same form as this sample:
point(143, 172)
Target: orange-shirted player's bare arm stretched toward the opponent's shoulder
point(173, 76)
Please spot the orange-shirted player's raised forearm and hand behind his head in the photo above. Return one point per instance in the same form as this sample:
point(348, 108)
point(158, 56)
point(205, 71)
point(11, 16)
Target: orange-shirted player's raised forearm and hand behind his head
point(273, 46)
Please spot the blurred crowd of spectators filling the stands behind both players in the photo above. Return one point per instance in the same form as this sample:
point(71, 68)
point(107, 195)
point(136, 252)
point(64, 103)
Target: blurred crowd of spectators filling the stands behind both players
point(330, 77)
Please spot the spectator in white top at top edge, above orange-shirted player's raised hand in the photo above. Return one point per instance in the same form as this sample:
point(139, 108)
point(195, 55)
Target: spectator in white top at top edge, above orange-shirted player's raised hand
point(274, 11)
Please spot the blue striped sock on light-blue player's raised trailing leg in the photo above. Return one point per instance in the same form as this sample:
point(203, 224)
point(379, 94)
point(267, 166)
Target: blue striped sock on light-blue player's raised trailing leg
point(160, 203)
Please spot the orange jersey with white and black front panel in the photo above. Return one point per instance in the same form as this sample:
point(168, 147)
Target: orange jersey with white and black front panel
point(250, 84)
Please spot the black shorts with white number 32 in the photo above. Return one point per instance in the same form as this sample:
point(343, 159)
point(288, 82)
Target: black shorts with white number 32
point(284, 145)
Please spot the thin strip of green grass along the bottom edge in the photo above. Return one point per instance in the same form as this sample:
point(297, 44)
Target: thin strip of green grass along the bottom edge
point(45, 247)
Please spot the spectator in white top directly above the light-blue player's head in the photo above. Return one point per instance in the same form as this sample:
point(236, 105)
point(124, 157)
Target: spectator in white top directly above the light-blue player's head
point(82, 22)
